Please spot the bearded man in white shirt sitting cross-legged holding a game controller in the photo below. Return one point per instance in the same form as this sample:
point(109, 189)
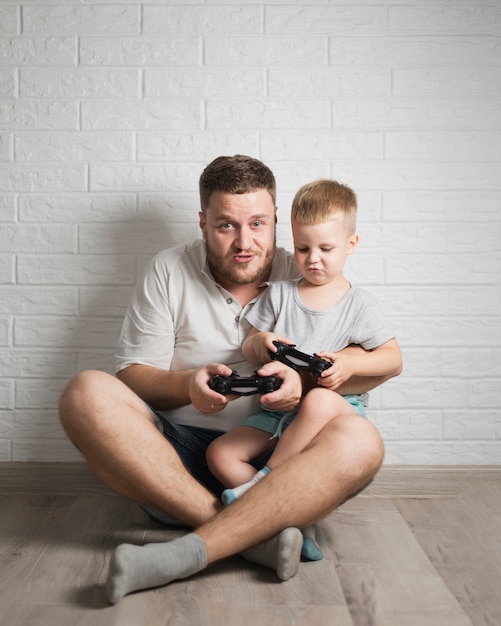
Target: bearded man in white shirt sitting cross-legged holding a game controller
point(144, 433)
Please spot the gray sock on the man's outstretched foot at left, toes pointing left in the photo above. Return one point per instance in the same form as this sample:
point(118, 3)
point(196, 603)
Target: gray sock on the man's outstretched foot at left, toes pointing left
point(154, 564)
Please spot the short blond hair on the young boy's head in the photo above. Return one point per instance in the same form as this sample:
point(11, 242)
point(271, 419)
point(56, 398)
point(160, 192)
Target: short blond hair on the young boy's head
point(323, 200)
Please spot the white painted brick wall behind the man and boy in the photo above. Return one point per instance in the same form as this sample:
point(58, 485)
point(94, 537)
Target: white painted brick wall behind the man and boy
point(110, 110)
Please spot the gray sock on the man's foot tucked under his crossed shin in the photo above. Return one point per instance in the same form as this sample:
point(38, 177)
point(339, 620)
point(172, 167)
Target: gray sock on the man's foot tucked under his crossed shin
point(281, 553)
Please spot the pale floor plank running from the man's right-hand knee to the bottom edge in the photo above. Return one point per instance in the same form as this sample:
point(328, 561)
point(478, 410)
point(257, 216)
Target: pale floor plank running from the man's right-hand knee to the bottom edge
point(383, 570)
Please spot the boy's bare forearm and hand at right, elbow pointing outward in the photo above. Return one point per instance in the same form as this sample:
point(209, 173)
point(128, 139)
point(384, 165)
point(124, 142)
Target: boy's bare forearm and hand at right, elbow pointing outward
point(355, 370)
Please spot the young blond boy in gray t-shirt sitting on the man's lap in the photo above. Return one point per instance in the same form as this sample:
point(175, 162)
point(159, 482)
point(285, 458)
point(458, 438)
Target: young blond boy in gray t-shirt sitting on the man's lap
point(321, 313)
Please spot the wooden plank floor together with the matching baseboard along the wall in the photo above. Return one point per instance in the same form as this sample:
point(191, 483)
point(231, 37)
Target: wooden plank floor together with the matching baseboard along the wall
point(421, 547)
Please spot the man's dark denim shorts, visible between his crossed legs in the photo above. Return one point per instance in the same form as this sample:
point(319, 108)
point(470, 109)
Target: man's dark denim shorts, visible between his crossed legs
point(191, 443)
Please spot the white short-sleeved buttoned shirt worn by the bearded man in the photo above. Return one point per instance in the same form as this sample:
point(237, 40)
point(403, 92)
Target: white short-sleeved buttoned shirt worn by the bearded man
point(180, 318)
